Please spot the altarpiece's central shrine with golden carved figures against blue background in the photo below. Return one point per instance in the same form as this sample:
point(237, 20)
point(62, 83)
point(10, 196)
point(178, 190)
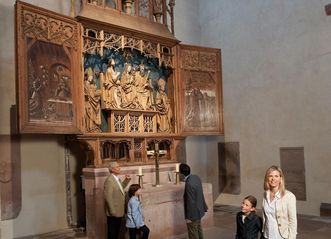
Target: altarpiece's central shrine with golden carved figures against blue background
point(128, 84)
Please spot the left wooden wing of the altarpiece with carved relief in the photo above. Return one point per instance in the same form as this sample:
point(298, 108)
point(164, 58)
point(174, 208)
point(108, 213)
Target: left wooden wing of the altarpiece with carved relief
point(48, 46)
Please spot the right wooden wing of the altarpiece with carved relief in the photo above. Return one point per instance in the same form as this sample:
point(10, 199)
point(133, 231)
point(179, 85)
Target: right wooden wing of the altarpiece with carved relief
point(200, 90)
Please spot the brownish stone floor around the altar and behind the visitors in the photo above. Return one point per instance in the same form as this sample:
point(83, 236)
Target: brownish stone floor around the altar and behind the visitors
point(224, 227)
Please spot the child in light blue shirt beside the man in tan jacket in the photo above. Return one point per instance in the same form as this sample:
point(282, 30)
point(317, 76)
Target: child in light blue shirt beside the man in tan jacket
point(135, 219)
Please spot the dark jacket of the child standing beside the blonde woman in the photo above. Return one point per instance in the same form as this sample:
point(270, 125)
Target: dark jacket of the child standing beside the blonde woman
point(251, 228)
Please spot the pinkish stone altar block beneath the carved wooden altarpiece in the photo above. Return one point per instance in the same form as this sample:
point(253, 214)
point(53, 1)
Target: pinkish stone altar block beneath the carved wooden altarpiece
point(162, 206)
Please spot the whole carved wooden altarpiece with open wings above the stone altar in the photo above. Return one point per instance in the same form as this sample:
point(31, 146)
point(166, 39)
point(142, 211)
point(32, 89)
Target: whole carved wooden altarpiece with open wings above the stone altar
point(115, 77)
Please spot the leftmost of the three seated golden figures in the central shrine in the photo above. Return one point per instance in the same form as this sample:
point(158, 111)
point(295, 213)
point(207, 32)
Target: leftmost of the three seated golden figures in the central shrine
point(112, 87)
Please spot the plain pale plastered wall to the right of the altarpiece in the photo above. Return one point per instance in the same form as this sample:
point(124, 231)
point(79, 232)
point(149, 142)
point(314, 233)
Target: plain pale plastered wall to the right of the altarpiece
point(276, 88)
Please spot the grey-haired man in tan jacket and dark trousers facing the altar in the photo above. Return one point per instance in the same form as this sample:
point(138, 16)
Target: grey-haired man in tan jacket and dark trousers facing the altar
point(115, 200)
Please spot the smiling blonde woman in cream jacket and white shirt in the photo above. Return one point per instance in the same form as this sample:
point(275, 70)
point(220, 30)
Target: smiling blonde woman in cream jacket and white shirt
point(278, 207)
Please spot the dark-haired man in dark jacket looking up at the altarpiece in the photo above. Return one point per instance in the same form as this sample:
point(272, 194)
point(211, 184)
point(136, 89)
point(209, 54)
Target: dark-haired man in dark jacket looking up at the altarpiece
point(194, 202)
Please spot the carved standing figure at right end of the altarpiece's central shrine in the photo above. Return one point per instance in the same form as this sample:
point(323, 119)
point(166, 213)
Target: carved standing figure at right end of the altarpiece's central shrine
point(163, 106)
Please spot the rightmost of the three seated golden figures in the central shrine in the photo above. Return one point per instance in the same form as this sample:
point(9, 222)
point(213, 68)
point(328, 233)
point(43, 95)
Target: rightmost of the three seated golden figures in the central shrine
point(143, 87)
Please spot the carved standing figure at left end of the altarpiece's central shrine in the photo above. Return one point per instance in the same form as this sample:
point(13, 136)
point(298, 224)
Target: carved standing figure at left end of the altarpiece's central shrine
point(92, 103)
